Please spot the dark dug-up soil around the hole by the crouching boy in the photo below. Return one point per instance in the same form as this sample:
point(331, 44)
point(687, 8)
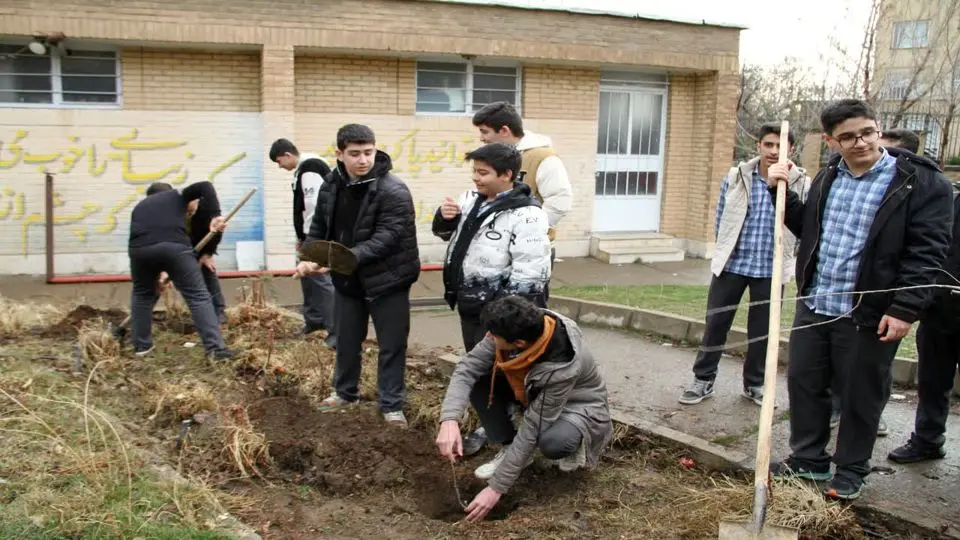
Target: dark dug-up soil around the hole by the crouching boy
point(354, 451)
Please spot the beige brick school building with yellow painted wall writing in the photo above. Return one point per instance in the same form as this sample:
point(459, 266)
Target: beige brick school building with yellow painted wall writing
point(642, 112)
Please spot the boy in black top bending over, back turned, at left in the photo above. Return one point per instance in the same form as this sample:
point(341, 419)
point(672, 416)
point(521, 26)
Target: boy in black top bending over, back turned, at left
point(159, 243)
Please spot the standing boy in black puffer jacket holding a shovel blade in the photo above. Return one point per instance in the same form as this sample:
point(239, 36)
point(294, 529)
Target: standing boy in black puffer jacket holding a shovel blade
point(363, 206)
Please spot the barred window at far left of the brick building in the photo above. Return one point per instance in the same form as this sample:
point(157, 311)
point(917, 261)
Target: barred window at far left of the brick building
point(71, 77)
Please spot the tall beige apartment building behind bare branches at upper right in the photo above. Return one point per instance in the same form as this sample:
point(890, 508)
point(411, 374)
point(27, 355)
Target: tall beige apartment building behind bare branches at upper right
point(917, 71)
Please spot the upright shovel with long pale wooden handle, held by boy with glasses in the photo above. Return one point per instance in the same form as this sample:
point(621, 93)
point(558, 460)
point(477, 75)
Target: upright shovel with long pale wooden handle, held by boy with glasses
point(756, 529)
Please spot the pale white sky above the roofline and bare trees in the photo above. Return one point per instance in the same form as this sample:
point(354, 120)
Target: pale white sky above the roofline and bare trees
point(809, 31)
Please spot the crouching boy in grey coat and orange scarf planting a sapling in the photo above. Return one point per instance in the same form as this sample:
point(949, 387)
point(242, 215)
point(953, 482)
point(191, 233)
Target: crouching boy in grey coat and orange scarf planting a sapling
point(534, 358)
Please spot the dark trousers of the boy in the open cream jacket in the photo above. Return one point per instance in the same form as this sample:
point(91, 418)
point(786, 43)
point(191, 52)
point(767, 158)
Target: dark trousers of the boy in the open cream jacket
point(726, 290)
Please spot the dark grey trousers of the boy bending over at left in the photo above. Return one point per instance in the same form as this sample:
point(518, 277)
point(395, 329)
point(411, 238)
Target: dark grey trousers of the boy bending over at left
point(180, 263)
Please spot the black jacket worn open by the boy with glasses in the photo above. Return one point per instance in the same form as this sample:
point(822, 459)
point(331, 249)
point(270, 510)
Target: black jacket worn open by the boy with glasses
point(907, 242)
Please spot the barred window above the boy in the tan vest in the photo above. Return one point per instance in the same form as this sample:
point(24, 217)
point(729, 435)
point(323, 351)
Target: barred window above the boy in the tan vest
point(451, 87)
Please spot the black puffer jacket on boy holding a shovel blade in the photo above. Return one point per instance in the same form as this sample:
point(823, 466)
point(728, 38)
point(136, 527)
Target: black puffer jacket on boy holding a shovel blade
point(385, 232)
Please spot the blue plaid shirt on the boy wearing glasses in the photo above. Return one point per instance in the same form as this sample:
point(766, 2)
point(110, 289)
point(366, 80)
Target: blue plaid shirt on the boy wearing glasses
point(852, 204)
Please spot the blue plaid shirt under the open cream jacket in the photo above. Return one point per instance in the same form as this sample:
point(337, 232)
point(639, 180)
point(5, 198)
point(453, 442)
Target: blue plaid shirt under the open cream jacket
point(753, 255)
